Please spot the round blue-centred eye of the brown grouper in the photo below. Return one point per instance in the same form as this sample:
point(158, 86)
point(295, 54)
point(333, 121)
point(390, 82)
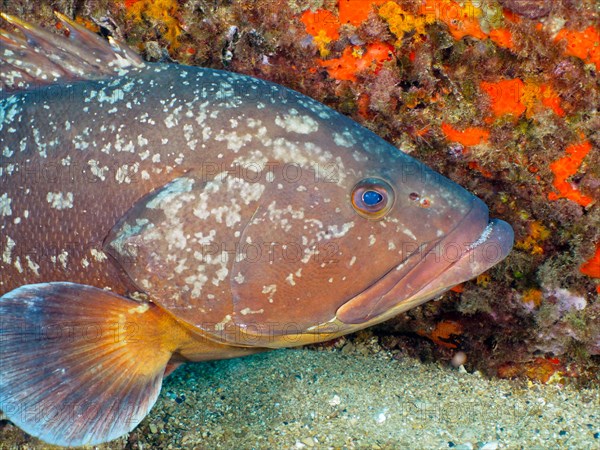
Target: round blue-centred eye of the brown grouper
point(372, 198)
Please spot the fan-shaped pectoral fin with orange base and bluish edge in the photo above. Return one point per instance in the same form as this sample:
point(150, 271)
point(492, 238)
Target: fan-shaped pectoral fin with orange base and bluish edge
point(80, 365)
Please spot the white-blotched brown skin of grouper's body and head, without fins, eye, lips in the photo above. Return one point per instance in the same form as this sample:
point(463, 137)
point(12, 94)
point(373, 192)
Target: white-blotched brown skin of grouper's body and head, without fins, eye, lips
point(76, 158)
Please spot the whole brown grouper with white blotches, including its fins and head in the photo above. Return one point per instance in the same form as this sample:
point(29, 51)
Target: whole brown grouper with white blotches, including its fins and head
point(154, 214)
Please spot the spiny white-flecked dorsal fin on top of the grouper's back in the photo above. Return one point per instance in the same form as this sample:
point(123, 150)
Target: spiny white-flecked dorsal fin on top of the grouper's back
point(33, 56)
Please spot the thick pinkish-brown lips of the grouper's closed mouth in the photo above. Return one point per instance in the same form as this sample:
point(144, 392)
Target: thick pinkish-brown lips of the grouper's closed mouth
point(473, 246)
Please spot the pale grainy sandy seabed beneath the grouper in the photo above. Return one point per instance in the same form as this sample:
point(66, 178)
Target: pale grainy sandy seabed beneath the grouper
point(294, 399)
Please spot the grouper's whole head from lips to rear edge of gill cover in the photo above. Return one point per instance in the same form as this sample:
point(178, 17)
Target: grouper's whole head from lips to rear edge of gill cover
point(303, 221)
